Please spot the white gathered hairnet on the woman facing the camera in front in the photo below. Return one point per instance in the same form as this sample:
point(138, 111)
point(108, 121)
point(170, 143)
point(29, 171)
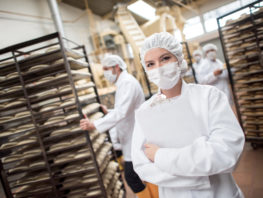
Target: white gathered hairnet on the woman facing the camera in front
point(166, 41)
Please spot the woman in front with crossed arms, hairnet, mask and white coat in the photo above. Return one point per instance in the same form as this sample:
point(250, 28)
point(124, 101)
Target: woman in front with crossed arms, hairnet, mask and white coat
point(186, 139)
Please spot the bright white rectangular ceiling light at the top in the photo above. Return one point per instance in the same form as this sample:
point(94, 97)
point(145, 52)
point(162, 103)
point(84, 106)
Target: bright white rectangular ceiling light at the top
point(142, 9)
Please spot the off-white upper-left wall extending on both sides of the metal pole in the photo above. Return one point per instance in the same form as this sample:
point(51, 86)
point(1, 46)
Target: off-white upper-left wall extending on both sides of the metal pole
point(15, 29)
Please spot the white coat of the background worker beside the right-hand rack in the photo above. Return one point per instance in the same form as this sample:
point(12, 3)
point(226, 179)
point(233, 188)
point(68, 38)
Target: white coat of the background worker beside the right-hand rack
point(205, 75)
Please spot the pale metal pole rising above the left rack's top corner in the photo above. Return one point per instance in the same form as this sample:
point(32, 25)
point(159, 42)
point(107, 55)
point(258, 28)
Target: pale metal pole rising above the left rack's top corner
point(53, 6)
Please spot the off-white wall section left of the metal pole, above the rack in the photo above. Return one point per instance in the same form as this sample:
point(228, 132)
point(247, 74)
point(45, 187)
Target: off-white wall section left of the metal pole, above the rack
point(16, 29)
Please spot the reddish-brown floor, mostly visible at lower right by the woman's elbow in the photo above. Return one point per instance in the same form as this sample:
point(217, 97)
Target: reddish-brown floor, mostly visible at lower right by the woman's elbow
point(248, 174)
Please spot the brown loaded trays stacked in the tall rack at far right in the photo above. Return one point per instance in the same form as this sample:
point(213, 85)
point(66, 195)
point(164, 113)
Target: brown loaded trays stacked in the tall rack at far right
point(243, 40)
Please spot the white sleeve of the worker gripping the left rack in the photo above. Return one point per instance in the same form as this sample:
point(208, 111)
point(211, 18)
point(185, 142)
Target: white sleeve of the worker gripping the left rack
point(123, 105)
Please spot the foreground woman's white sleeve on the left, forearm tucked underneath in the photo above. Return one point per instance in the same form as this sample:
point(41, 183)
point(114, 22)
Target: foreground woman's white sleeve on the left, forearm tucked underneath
point(149, 172)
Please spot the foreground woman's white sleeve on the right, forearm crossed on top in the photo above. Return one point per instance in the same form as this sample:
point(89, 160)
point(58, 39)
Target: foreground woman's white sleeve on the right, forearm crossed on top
point(216, 153)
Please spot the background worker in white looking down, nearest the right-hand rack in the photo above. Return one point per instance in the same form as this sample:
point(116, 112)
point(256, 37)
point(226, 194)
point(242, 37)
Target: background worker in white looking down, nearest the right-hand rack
point(212, 71)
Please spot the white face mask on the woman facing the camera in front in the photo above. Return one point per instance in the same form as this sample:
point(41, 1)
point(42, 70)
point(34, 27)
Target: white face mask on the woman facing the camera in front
point(165, 77)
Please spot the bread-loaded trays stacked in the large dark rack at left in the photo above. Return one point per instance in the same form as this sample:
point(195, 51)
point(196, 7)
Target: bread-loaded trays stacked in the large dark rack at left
point(44, 150)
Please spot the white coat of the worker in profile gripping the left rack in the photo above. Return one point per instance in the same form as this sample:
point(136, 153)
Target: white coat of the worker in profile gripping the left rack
point(128, 97)
